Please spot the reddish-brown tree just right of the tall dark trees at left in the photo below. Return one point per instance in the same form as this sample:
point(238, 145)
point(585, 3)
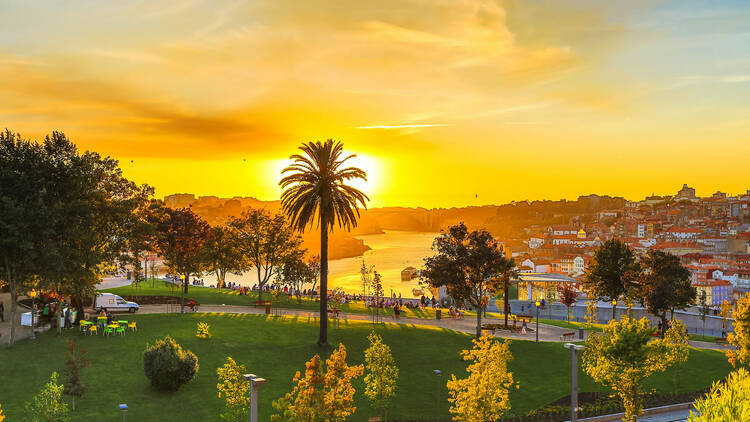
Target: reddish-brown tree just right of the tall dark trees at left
point(181, 238)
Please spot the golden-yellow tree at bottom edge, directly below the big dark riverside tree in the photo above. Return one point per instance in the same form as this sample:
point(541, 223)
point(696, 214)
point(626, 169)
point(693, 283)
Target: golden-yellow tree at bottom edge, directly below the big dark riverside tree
point(483, 394)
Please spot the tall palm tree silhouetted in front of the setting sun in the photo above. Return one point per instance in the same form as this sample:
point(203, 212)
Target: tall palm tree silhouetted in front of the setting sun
point(316, 187)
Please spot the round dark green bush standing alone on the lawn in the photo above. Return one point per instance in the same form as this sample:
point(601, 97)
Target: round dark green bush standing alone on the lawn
point(168, 366)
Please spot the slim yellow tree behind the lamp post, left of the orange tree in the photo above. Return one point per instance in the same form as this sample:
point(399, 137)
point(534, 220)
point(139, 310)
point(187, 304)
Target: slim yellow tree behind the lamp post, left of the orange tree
point(234, 389)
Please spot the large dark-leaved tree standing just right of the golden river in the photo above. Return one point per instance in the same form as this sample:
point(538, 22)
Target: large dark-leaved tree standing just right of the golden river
point(468, 264)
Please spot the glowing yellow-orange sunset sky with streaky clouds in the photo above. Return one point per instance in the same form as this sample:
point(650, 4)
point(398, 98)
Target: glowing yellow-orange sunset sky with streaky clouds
point(448, 103)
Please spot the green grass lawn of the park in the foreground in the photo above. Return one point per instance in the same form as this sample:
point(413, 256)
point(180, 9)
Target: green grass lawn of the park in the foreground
point(276, 347)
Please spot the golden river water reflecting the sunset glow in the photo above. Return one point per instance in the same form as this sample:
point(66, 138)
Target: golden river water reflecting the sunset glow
point(391, 252)
